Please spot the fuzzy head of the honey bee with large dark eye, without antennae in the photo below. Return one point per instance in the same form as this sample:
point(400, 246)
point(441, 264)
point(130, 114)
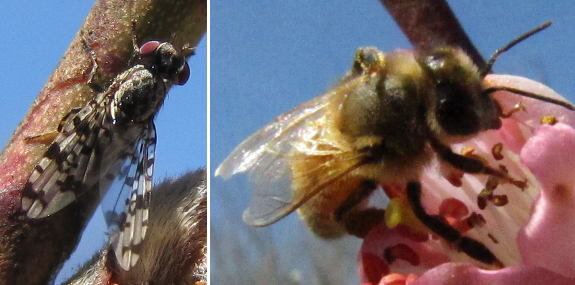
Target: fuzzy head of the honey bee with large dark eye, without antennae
point(459, 108)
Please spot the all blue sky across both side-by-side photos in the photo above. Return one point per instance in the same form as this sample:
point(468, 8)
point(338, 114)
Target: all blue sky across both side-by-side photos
point(267, 59)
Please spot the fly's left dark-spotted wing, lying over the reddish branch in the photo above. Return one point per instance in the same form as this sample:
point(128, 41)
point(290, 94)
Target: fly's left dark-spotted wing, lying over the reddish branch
point(66, 167)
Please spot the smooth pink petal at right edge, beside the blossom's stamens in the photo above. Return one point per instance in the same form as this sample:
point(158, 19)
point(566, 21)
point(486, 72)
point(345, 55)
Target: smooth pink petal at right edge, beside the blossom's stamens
point(547, 240)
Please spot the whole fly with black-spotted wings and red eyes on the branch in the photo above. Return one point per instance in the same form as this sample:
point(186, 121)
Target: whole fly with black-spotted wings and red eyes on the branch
point(112, 137)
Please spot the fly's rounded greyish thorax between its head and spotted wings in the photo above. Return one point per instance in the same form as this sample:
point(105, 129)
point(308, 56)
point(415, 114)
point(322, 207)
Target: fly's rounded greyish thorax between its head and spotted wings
point(138, 97)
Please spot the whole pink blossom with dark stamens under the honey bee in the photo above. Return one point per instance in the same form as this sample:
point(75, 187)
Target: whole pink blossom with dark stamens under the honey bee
point(529, 229)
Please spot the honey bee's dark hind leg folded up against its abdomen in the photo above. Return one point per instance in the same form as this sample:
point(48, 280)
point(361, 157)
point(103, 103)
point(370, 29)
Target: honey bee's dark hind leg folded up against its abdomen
point(359, 222)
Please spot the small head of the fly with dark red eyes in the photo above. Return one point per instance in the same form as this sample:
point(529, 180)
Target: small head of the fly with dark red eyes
point(163, 59)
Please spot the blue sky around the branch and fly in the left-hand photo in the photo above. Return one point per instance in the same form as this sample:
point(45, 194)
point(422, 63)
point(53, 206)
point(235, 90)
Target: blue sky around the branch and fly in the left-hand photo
point(36, 35)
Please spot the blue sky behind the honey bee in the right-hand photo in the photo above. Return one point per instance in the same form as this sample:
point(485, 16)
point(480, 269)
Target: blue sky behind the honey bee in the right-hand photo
point(267, 59)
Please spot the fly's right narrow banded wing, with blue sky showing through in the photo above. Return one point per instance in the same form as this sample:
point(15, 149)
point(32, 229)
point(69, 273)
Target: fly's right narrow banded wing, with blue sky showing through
point(137, 178)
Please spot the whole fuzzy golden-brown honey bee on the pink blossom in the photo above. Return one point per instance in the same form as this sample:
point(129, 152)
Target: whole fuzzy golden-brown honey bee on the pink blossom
point(381, 124)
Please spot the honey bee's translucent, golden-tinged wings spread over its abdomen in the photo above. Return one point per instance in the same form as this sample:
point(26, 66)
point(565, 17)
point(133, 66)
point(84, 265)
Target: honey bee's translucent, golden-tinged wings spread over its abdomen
point(268, 155)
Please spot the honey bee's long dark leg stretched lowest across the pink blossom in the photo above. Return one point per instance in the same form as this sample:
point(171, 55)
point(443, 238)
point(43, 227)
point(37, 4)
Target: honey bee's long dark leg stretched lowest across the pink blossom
point(471, 247)
